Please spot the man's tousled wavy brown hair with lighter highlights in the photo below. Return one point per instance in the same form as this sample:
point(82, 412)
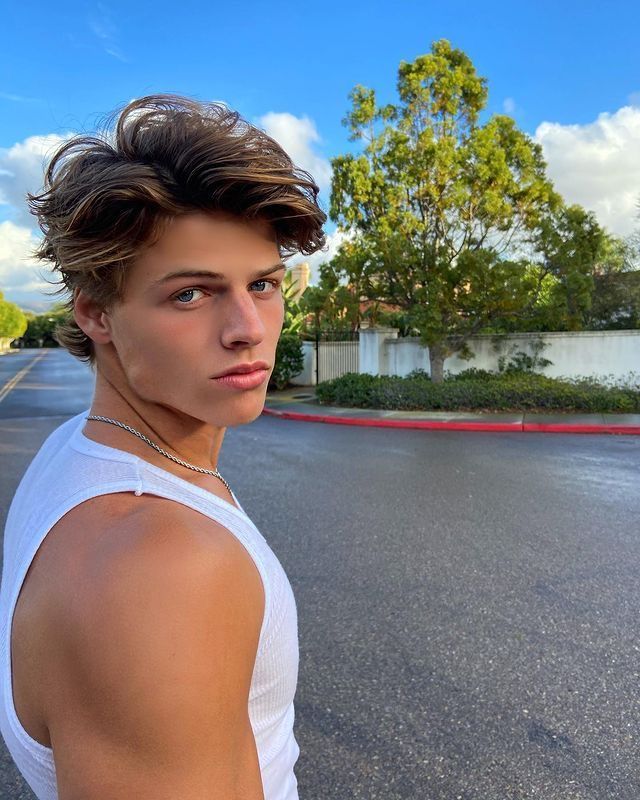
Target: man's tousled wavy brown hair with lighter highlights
point(107, 197)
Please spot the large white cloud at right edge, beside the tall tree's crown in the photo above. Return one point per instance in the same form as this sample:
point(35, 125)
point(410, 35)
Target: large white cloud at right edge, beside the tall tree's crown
point(598, 165)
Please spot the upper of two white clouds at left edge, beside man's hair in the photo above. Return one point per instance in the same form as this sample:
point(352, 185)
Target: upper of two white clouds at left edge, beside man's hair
point(22, 170)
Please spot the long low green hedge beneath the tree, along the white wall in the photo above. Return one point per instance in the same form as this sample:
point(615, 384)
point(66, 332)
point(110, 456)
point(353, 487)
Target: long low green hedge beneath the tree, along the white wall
point(477, 390)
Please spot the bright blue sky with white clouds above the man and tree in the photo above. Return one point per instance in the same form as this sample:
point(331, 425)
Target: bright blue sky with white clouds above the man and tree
point(568, 72)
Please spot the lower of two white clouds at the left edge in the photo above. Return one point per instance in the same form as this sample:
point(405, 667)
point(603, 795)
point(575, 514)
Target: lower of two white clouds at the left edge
point(22, 277)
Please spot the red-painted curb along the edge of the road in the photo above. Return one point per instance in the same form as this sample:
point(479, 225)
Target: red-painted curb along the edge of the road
point(527, 427)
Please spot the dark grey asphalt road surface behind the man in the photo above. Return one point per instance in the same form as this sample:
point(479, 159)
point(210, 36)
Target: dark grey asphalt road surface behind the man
point(468, 602)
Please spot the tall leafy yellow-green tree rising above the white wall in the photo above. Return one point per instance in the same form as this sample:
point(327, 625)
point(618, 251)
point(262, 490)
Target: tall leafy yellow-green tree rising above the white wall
point(443, 210)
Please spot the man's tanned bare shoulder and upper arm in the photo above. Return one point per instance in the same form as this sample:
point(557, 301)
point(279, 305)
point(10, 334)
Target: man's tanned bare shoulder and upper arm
point(158, 652)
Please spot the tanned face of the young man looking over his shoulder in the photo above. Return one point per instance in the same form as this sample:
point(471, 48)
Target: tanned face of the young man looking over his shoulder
point(180, 325)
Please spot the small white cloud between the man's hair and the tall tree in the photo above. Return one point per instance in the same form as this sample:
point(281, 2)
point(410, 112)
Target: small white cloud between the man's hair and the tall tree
point(297, 135)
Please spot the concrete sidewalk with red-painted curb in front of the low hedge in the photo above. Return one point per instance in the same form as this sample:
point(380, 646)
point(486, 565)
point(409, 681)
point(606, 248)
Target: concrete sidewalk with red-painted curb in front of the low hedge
point(299, 403)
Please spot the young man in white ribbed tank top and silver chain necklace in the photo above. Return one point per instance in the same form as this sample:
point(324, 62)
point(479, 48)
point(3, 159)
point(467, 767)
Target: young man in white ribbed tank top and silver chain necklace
point(149, 633)
